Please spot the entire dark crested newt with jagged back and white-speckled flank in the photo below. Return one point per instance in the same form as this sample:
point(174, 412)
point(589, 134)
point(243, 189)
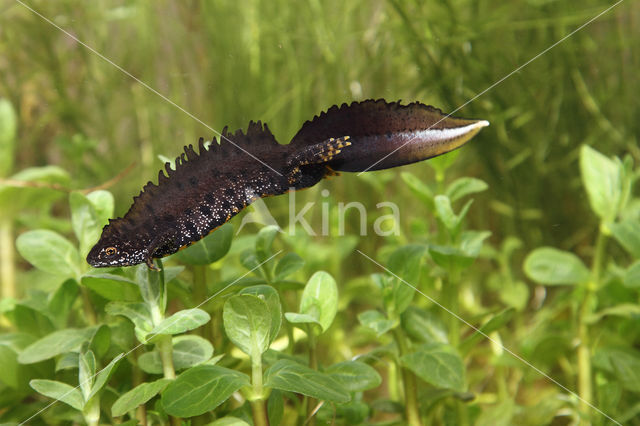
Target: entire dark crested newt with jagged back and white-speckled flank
point(210, 187)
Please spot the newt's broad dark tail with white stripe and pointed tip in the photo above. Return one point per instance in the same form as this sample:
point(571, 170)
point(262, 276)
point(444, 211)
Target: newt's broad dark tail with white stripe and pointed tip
point(385, 135)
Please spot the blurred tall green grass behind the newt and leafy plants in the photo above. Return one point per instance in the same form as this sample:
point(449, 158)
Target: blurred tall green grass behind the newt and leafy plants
point(282, 62)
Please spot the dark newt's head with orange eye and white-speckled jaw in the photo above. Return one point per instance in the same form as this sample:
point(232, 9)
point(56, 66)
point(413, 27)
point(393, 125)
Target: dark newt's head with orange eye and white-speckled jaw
point(115, 249)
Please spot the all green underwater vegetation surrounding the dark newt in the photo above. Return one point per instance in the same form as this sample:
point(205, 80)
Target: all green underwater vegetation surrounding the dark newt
point(496, 284)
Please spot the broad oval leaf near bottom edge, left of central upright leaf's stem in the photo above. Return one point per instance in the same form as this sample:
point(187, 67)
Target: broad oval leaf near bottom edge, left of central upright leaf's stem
point(201, 389)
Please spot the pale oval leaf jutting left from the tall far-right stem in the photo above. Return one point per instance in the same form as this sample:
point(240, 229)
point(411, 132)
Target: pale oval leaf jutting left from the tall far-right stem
point(550, 266)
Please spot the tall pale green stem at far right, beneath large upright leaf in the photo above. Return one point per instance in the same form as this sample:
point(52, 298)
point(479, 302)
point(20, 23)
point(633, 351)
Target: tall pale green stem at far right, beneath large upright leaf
point(585, 379)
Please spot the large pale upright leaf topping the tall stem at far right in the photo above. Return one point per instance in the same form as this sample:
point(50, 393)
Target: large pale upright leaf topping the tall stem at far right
point(602, 178)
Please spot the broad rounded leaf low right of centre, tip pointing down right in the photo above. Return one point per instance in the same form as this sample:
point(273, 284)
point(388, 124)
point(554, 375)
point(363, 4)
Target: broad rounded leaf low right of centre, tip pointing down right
point(437, 364)
